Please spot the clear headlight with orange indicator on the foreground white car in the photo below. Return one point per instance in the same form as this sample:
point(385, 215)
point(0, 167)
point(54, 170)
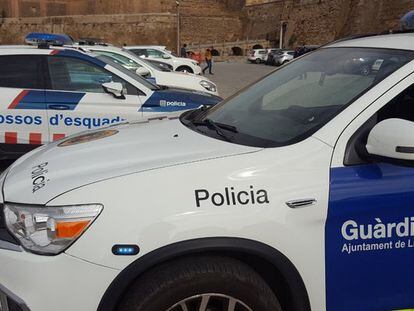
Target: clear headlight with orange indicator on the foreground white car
point(49, 230)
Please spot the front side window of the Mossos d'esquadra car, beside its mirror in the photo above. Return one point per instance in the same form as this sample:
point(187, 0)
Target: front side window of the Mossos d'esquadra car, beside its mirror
point(71, 74)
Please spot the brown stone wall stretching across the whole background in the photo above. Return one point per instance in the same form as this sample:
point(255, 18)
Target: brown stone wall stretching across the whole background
point(203, 21)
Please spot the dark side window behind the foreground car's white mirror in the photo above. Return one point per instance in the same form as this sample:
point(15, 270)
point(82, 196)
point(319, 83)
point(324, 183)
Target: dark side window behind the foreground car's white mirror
point(400, 107)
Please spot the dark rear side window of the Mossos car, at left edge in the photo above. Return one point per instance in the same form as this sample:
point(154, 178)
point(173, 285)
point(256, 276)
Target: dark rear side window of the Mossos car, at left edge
point(21, 71)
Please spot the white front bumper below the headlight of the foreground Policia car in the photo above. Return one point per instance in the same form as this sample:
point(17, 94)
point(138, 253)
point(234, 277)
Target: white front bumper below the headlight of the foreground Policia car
point(46, 283)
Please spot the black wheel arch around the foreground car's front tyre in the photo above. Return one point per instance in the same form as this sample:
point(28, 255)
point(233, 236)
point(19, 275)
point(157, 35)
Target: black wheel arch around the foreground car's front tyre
point(284, 280)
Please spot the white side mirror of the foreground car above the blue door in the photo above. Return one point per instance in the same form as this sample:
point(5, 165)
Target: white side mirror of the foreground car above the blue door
point(393, 139)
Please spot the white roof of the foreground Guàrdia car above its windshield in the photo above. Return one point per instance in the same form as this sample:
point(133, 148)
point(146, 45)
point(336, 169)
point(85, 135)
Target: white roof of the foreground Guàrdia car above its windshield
point(401, 41)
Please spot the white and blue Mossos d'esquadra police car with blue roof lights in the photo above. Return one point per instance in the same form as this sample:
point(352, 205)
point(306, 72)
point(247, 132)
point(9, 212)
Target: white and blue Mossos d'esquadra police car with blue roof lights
point(51, 92)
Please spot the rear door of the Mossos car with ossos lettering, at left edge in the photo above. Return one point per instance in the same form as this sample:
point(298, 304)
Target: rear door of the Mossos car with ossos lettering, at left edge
point(23, 118)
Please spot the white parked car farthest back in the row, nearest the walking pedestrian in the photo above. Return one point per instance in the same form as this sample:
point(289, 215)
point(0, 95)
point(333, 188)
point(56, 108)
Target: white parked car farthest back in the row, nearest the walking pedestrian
point(160, 53)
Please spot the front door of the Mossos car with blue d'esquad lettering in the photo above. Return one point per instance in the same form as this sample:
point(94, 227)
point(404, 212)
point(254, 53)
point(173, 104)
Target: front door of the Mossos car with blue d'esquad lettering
point(77, 101)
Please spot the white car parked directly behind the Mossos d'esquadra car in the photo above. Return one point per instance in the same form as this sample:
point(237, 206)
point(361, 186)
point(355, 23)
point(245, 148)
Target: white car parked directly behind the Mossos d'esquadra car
point(153, 73)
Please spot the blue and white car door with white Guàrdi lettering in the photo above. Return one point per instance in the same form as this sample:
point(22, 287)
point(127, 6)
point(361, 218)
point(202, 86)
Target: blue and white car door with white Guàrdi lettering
point(370, 225)
